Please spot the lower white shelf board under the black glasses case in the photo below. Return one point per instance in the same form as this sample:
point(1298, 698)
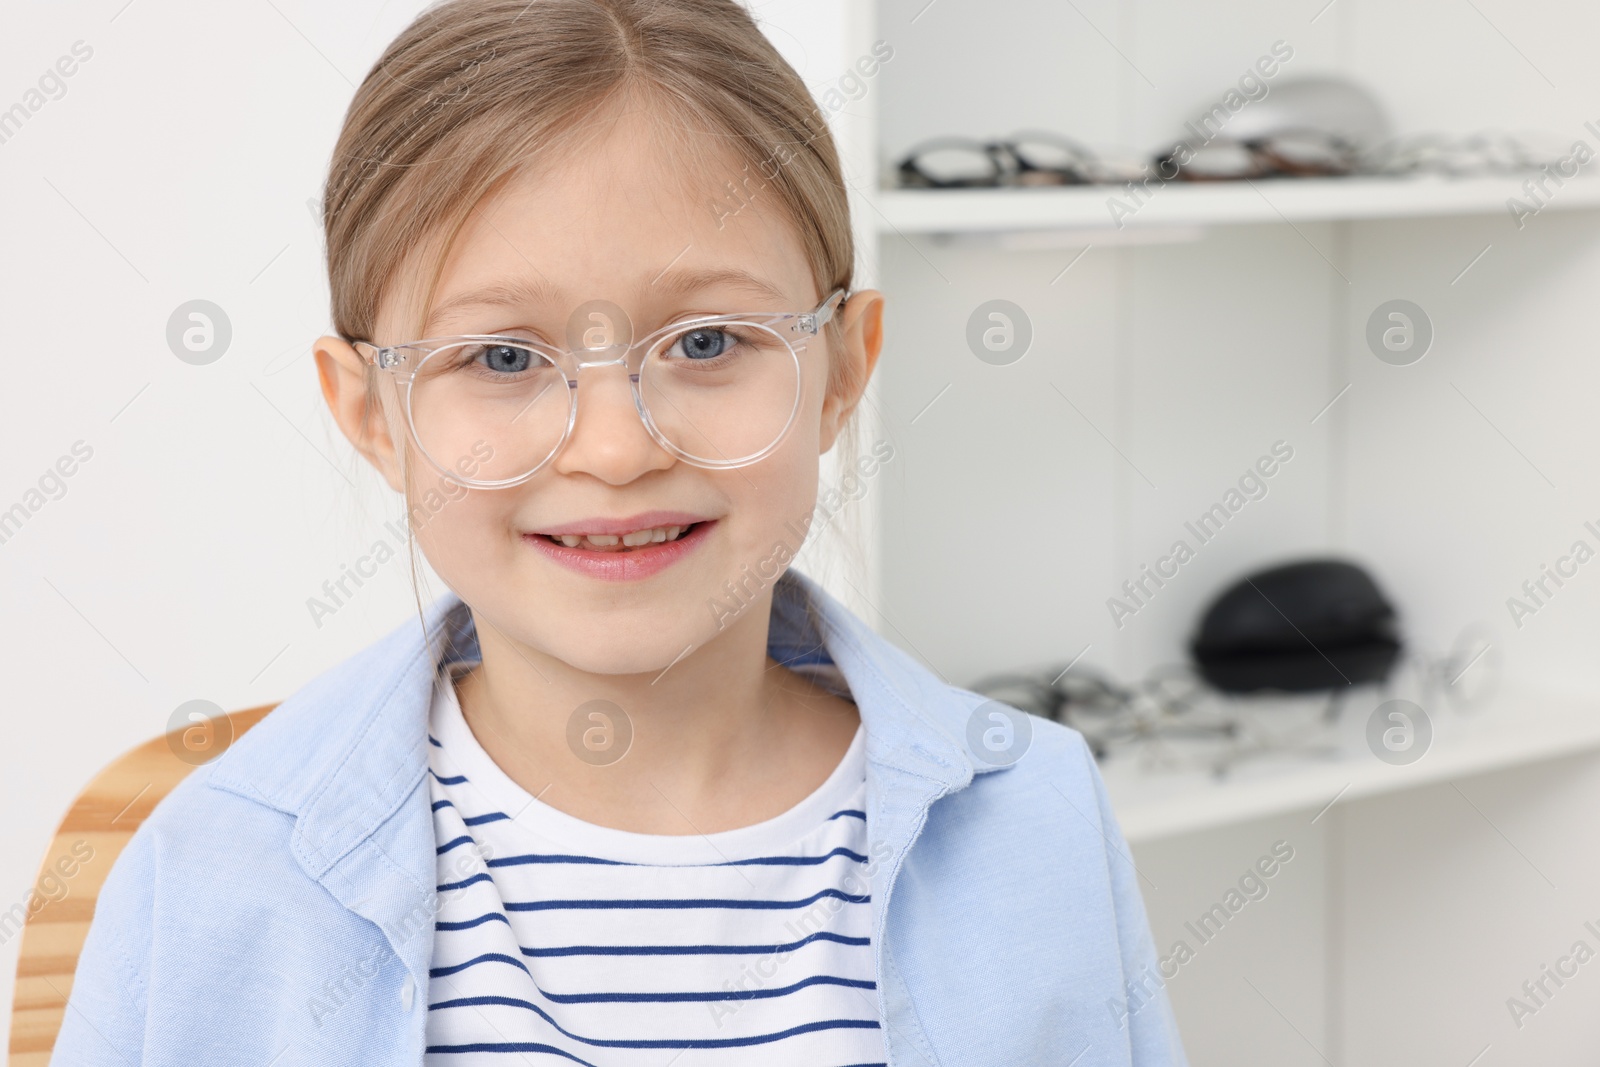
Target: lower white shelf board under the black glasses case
point(1513, 730)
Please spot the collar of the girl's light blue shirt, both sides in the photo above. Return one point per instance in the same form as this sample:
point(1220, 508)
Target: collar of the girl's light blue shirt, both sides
point(345, 753)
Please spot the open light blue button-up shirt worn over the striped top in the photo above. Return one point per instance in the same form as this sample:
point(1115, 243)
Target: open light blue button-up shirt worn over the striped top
point(278, 908)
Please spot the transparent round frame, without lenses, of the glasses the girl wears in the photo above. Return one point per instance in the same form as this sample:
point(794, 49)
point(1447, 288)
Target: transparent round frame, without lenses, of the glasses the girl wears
point(393, 359)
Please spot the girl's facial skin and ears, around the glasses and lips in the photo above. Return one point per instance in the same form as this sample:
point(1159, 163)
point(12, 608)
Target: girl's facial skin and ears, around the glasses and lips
point(657, 234)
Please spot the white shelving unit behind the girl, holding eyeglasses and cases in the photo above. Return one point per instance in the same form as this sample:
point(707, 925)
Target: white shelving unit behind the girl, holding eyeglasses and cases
point(1426, 893)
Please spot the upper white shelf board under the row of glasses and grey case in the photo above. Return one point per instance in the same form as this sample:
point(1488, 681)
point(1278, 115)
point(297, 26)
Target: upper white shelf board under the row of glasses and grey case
point(1220, 204)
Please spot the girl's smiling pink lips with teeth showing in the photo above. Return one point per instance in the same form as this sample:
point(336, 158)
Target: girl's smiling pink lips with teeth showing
point(623, 549)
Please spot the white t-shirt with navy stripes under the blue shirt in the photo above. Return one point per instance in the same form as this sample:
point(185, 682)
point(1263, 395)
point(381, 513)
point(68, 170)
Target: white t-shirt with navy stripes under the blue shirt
point(559, 941)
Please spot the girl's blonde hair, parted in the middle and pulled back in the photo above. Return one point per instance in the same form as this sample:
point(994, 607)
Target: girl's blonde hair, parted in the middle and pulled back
point(476, 90)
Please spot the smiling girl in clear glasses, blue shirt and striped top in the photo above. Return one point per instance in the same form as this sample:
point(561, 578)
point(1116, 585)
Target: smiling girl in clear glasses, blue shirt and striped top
point(633, 793)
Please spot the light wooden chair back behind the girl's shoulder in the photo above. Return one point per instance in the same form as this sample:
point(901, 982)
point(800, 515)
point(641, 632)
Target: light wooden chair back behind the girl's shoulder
point(105, 817)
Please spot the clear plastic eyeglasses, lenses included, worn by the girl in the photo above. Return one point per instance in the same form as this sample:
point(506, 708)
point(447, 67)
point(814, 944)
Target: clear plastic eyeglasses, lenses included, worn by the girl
point(490, 410)
